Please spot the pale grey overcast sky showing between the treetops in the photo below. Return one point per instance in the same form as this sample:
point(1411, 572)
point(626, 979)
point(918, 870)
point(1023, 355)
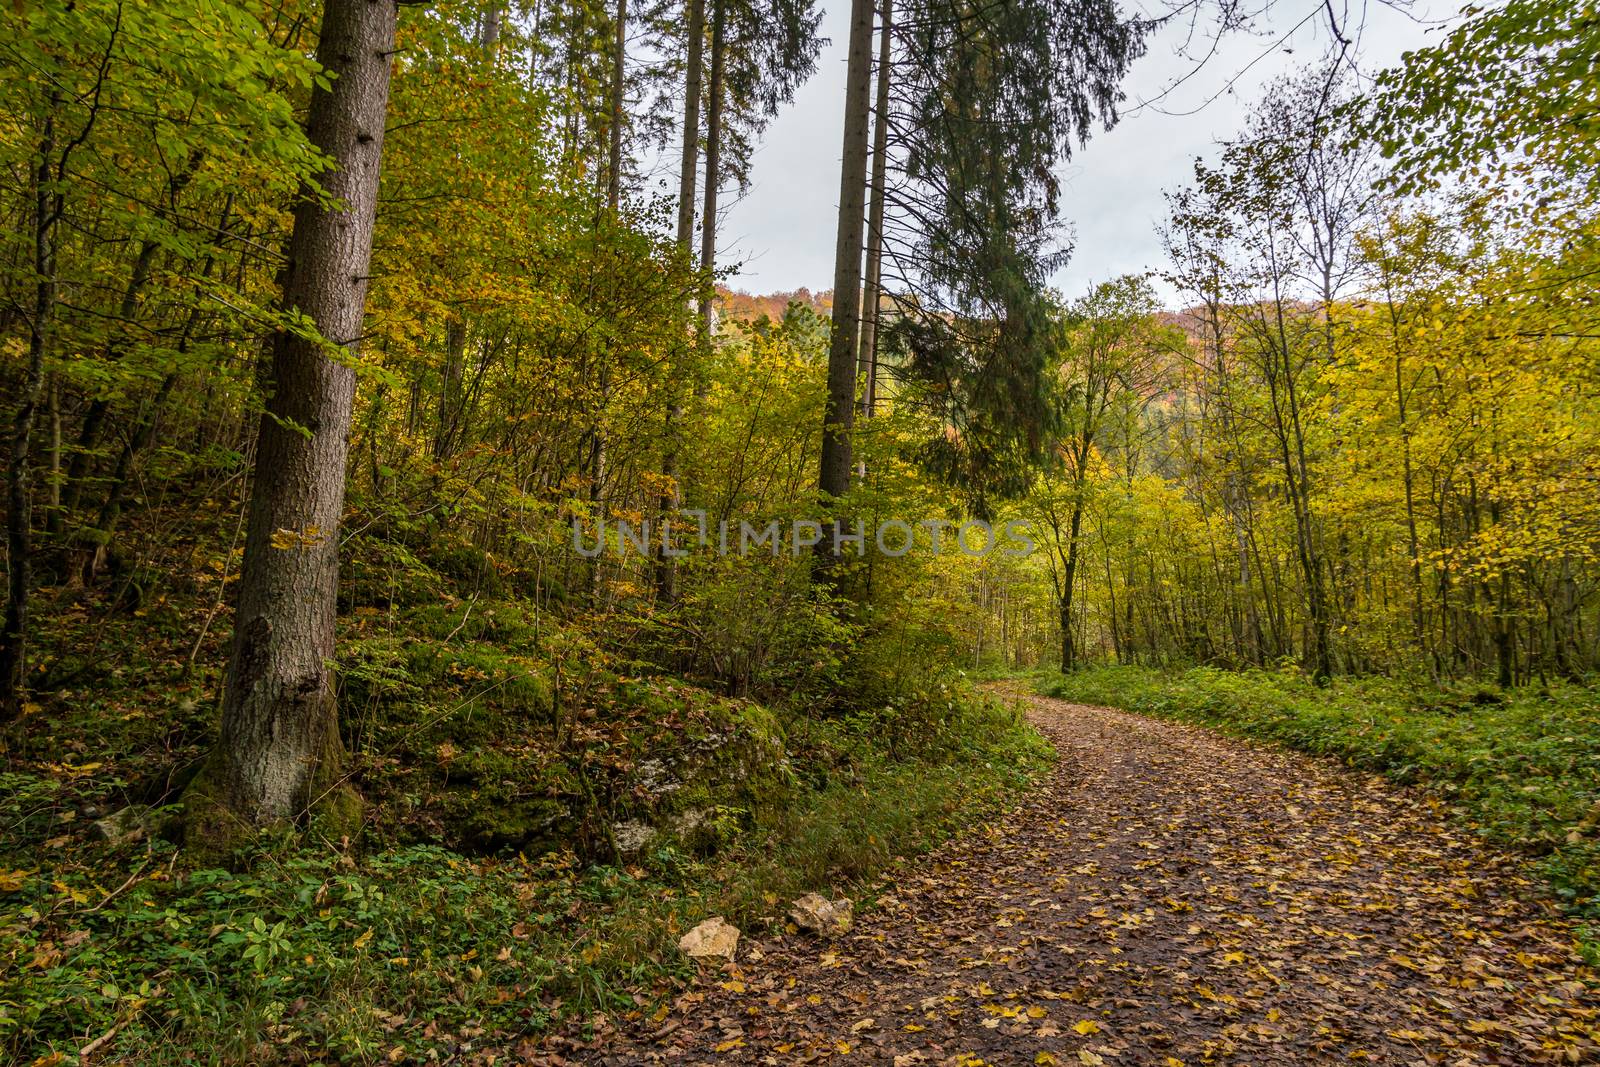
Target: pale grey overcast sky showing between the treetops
point(783, 231)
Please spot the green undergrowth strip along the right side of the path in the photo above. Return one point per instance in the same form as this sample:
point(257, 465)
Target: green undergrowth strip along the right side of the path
point(1522, 767)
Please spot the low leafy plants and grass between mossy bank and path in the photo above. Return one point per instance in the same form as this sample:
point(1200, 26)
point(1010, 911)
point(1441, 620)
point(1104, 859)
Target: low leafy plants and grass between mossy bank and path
point(335, 954)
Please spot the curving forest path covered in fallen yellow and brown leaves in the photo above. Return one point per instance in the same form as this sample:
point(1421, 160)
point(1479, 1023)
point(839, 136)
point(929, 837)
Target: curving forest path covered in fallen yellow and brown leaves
point(1169, 897)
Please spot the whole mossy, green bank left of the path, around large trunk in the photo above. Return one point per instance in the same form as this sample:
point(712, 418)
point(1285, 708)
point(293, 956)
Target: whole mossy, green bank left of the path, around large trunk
point(545, 818)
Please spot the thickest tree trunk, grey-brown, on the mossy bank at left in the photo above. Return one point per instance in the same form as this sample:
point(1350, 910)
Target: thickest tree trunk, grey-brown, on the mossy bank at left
point(281, 751)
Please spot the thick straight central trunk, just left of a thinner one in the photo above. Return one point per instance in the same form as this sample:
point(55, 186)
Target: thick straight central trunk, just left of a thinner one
point(839, 415)
